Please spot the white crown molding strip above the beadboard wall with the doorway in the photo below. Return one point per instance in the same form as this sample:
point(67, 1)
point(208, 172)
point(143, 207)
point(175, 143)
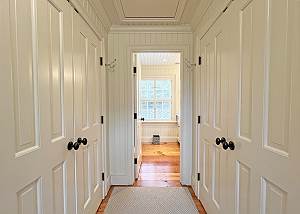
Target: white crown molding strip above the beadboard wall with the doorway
point(150, 28)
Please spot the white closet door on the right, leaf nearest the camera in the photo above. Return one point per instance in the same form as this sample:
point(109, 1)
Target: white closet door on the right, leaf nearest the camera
point(266, 103)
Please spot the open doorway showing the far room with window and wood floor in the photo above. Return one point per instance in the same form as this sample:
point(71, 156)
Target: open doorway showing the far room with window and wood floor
point(157, 123)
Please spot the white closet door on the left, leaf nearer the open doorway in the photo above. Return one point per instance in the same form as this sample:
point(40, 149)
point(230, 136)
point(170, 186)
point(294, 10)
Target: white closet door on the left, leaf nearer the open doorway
point(87, 116)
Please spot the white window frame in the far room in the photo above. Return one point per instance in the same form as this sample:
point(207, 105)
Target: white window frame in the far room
point(173, 95)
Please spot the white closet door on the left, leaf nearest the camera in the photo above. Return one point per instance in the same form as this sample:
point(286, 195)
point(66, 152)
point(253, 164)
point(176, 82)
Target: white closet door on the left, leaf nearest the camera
point(37, 170)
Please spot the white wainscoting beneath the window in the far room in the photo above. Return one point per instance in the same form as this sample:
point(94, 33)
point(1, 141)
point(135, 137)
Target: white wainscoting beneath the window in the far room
point(168, 131)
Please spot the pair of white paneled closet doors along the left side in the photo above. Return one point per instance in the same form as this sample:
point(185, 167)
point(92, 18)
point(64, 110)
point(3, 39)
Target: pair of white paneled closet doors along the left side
point(50, 97)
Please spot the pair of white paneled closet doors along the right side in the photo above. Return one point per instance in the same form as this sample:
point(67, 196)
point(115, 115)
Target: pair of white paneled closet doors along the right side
point(250, 96)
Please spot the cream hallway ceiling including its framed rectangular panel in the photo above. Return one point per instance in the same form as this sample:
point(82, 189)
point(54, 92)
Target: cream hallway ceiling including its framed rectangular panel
point(126, 12)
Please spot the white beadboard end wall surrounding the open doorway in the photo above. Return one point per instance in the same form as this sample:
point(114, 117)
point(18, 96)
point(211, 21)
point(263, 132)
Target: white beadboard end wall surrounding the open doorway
point(120, 90)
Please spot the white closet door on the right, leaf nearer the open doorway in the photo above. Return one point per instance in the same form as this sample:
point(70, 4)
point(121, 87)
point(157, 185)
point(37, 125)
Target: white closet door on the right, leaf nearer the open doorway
point(215, 51)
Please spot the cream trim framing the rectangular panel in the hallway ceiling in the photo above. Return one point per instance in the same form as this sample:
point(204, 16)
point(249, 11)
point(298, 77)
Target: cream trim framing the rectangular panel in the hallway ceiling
point(176, 18)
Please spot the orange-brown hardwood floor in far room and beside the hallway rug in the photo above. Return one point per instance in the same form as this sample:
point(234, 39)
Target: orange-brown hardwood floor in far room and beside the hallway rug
point(160, 168)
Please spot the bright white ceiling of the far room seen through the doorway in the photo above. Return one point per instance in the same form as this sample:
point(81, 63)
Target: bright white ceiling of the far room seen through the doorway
point(159, 58)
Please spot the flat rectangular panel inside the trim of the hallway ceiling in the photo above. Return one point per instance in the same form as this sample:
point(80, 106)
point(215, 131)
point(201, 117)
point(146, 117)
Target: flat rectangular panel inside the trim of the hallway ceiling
point(150, 8)
